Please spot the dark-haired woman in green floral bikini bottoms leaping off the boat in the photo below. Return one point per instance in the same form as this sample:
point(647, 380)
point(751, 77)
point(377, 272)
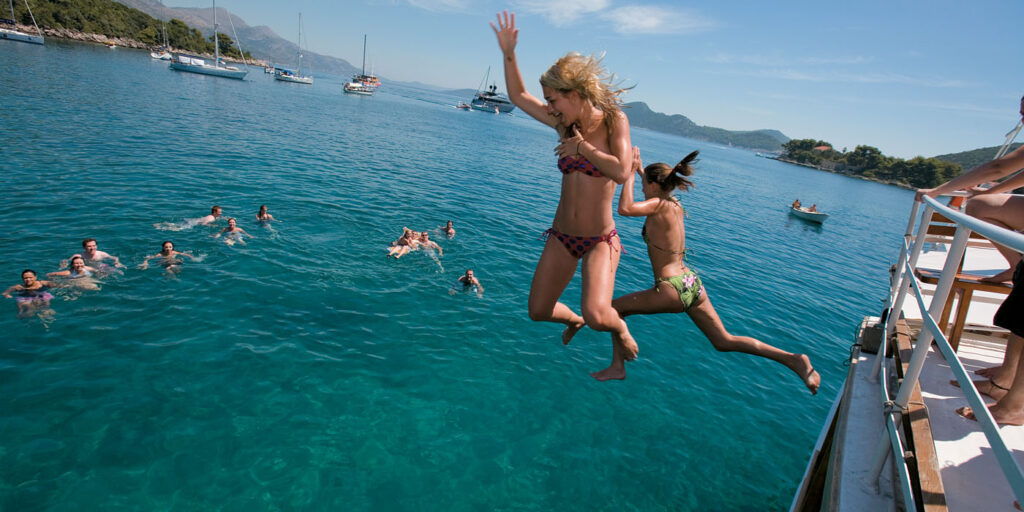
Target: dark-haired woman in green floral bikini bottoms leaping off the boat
point(677, 288)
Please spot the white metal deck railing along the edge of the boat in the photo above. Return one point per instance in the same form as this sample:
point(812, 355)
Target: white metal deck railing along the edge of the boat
point(904, 281)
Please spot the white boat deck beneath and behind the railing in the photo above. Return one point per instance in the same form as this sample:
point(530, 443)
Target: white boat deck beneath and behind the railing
point(971, 477)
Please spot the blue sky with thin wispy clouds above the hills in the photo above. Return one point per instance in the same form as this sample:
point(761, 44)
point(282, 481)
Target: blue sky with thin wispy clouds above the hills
point(909, 77)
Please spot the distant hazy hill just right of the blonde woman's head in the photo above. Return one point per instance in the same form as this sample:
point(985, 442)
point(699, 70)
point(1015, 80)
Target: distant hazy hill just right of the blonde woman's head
point(642, 116)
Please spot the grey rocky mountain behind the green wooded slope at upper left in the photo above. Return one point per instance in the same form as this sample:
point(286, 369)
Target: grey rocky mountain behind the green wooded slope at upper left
point(262, 41)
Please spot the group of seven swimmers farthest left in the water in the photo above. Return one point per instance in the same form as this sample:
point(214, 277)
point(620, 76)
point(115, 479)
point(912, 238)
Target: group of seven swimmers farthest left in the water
point(83, 270)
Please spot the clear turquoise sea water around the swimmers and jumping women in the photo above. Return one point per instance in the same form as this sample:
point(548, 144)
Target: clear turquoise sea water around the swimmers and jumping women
point(306, 371)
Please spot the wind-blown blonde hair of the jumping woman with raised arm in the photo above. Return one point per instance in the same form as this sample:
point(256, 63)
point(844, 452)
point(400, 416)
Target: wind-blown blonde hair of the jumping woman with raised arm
point(586, 76)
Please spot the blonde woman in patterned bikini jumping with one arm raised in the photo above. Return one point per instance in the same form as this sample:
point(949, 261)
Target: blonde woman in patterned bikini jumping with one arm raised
point(594, 155)
